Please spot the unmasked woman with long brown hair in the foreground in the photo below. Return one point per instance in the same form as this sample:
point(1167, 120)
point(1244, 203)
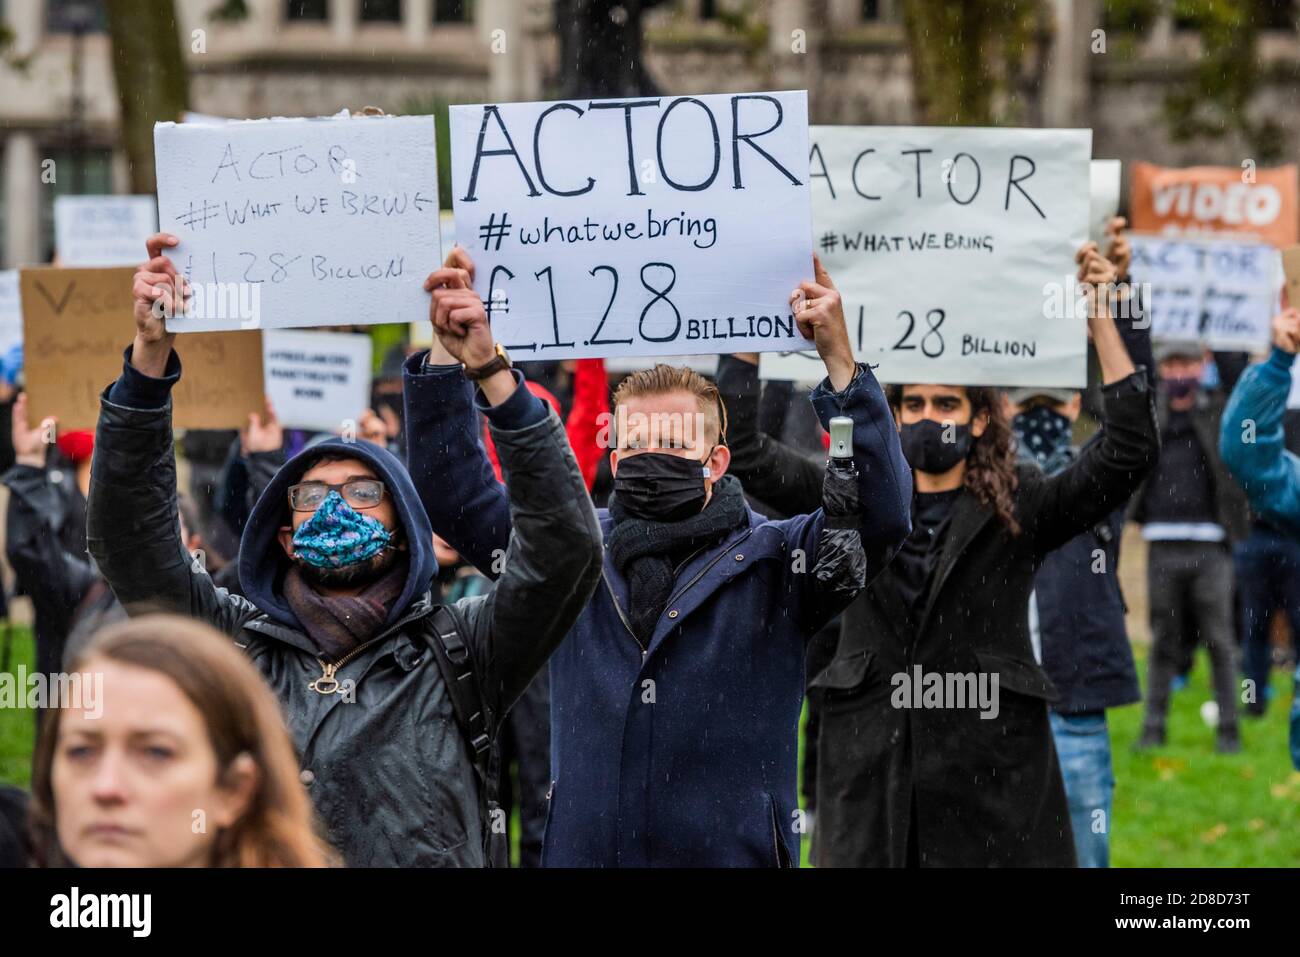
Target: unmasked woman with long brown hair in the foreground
point(181, 725)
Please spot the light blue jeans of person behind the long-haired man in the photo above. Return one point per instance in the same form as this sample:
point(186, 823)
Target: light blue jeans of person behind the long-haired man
point(1084, 748)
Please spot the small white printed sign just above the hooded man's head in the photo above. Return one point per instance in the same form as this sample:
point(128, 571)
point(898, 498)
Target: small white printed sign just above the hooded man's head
point(318, 380)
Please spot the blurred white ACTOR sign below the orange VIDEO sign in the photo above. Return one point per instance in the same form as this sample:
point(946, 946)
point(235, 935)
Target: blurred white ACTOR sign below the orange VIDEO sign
point(1220, 292)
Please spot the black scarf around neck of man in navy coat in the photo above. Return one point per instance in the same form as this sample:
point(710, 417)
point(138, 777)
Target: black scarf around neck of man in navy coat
point(644, 552)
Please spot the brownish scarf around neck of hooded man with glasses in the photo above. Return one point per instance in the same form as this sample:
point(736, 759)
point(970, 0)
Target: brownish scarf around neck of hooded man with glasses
point(336, 626)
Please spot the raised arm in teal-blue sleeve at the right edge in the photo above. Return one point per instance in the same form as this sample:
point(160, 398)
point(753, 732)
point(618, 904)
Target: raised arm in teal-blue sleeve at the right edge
point(1251, 438)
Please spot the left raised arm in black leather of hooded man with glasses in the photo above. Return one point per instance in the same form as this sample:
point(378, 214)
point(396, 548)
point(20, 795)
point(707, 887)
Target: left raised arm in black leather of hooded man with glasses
point(132, 526)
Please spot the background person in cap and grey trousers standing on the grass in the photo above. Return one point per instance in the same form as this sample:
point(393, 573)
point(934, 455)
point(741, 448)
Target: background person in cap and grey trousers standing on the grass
point(1191, 513)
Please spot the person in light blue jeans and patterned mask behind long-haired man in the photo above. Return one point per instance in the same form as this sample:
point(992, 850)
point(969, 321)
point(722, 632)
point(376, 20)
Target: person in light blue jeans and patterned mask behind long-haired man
point(1077, 610)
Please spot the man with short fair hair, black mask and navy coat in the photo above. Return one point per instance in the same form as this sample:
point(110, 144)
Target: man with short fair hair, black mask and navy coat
point(677, 698)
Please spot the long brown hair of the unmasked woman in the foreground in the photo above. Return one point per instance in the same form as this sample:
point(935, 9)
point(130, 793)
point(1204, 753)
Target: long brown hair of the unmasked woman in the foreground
point(279, 829)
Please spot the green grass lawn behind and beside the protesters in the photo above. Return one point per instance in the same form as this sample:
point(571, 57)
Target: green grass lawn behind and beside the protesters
point(1180, 807)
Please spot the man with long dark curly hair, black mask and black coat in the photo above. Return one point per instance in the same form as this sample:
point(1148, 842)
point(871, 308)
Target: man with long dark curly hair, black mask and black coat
point(935, 747)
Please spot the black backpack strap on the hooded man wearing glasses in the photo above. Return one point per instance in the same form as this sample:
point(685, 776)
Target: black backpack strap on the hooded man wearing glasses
point(474, 718)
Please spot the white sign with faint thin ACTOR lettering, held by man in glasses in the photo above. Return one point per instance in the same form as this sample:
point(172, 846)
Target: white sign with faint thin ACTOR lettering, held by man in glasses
point(301, 223)
